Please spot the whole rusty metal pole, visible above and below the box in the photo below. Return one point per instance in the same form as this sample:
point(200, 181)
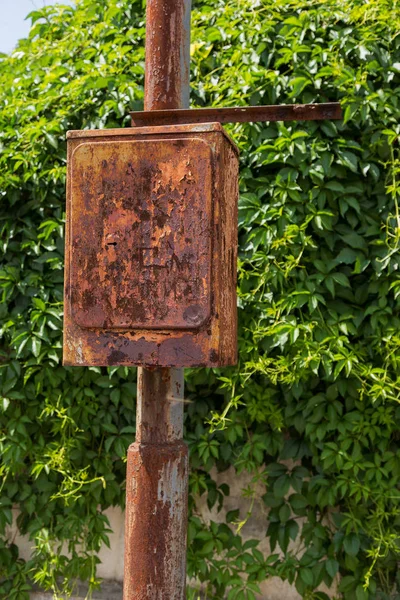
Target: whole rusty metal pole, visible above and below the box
point(157, 469)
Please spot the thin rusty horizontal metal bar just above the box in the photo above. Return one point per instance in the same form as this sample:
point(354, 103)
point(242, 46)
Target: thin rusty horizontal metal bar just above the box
point(238, 114)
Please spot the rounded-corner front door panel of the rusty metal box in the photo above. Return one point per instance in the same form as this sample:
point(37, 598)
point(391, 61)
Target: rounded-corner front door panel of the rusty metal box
point(141, 234)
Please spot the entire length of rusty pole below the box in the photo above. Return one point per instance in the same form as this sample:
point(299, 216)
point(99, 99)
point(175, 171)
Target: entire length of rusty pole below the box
point(156, 491)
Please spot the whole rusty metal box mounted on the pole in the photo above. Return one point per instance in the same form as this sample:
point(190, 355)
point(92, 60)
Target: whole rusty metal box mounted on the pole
point(151, 246)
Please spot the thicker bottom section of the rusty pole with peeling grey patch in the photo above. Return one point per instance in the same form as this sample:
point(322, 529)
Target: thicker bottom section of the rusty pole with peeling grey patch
point(156, 522)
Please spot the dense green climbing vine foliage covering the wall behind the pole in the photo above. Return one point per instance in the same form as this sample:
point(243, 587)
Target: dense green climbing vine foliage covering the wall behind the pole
point(312, 409)
